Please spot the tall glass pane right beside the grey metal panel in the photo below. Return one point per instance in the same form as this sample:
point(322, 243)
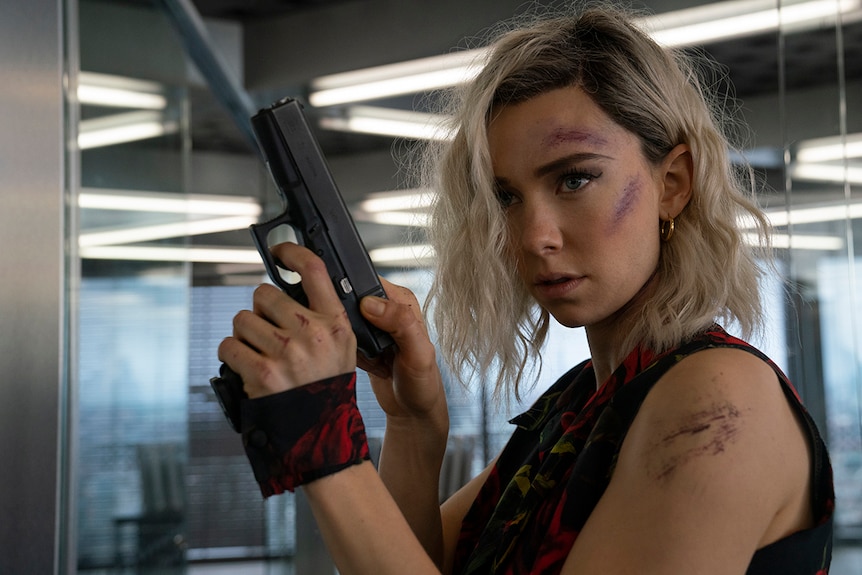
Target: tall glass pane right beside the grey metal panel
point(133, 314)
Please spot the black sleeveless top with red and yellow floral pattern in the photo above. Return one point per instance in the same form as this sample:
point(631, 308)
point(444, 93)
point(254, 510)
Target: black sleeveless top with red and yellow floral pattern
point(560, 458)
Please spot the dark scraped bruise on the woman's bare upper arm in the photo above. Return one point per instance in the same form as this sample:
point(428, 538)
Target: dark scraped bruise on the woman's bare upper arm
point(705, 433)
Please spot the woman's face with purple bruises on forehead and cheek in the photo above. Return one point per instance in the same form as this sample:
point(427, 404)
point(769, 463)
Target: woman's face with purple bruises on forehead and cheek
point(582, 204)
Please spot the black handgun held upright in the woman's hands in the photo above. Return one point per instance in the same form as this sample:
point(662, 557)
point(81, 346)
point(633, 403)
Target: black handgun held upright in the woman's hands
point(317, 213)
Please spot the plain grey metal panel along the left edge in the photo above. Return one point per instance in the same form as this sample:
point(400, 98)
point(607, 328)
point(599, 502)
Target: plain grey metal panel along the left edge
point(31, 288)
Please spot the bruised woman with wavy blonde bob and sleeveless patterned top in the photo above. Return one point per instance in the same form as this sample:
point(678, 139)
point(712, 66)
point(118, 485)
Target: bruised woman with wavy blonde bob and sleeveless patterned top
point(587, 181)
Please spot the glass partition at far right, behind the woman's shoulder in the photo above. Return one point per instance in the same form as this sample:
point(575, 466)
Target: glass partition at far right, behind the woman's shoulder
point(819, 217)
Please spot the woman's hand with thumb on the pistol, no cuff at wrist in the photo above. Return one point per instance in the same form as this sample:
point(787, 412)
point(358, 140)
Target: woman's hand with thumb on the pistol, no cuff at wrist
point(405, 380)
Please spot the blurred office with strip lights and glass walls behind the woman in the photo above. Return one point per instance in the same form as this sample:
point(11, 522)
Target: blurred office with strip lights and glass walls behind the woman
point(129, 176)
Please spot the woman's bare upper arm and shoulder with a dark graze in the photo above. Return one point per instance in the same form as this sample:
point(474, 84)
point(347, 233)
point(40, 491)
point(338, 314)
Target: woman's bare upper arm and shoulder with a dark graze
point(714, 466)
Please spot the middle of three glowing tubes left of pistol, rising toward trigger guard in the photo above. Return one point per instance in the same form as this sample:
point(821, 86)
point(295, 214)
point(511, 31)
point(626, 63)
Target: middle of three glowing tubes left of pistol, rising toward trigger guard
point(128, 235)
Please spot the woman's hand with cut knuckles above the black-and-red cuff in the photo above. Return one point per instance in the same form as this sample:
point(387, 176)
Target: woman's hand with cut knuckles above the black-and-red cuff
point(282, 344)
